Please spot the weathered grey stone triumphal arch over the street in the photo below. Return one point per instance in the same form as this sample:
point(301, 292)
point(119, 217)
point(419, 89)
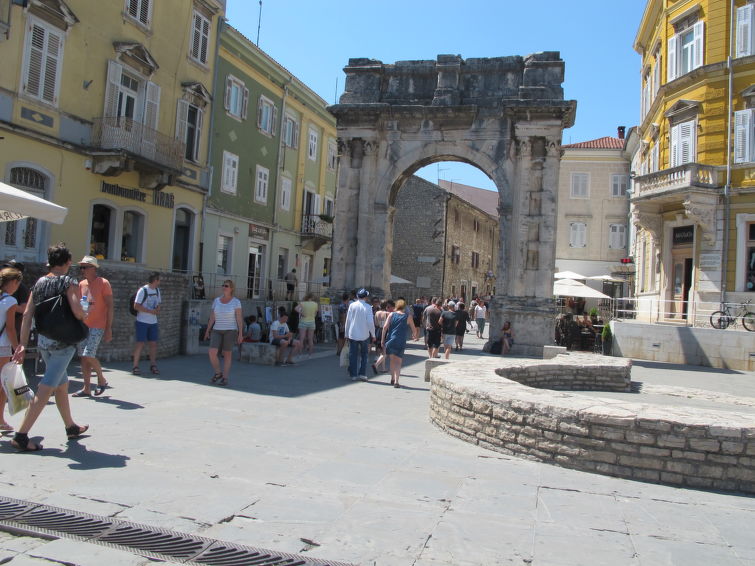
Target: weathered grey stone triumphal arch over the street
point(504, 115)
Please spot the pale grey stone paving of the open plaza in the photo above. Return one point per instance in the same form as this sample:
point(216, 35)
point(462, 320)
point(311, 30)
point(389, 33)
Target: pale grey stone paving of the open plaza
point(295, 457)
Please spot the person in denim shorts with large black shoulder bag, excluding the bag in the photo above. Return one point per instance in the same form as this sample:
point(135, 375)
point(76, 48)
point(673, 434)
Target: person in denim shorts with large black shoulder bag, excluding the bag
point(56, 355)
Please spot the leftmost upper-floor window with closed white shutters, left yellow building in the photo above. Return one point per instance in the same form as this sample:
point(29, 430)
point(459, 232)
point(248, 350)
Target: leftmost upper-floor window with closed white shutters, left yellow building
point(43, 60)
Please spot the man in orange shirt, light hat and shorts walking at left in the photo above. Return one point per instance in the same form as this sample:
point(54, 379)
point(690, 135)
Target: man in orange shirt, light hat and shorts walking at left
point(99, 298)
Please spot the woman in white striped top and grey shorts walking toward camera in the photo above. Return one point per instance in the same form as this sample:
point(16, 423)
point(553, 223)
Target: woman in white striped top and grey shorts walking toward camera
point(227, 331)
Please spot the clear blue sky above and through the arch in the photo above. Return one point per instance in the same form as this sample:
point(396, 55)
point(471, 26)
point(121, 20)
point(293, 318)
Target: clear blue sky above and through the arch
point(314, 40)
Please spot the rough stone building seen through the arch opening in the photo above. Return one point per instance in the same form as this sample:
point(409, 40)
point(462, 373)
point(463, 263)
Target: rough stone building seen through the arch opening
point(445, 240)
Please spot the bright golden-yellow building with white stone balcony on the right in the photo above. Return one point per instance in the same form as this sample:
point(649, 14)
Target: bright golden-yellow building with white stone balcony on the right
point(693, 192)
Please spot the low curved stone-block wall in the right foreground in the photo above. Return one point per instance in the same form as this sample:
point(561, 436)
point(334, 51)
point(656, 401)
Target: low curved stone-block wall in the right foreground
point(671, 445)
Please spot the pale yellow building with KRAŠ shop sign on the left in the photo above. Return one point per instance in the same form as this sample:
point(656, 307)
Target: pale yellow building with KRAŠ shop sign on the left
point(105, 109)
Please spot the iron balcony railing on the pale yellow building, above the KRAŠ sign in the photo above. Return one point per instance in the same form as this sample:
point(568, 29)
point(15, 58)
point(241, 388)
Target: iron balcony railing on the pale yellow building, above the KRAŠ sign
point(124, 134)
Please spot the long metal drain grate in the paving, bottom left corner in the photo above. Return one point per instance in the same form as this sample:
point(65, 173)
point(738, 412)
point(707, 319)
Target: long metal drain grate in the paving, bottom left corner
point(25, 517)
